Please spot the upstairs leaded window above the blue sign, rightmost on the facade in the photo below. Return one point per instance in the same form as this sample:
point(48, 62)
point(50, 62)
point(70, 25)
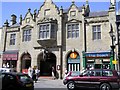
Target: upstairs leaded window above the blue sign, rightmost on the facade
point(96, 32)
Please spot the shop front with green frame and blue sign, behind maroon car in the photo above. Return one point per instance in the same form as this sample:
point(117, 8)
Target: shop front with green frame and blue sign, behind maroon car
point(97, 60)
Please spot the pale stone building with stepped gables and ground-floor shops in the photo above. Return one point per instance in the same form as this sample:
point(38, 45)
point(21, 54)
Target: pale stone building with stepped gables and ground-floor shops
point(71, 39)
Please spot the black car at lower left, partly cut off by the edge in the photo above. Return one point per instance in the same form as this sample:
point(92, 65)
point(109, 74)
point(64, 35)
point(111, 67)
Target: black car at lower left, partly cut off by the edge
point(16, 81)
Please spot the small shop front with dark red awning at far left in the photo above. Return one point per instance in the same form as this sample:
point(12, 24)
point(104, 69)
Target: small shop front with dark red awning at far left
point(10, 59)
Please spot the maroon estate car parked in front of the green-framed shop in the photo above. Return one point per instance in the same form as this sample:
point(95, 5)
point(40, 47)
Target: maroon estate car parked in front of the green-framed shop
point(102, 79)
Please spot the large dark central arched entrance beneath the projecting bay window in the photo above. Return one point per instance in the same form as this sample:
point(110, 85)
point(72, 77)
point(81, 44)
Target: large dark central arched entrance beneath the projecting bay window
point(45, 64)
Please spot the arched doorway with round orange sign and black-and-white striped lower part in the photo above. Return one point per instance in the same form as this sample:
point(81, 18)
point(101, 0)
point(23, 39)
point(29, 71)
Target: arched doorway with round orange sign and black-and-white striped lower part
point(73, 61)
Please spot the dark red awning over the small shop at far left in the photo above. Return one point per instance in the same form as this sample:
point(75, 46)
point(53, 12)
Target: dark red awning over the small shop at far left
point(10, 55)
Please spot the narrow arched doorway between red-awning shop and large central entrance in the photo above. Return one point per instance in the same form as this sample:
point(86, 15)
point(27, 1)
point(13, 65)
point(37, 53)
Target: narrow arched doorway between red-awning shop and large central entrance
point(25, 62)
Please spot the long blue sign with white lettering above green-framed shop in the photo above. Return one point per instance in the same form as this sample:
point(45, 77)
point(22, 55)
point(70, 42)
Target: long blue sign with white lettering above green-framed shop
point(98, 55)
